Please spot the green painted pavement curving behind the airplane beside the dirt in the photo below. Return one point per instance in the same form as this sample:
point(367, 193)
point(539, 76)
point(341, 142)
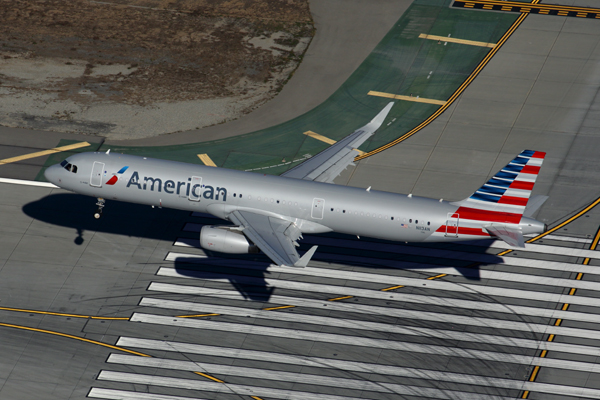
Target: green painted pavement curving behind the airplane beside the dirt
point(400, 64)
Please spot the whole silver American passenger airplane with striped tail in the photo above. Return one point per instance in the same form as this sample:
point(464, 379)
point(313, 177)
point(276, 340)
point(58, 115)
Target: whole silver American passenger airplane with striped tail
point(271, 213)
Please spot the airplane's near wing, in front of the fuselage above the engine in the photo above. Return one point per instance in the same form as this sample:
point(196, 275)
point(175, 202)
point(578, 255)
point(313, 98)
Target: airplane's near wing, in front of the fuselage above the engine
point(276, 237)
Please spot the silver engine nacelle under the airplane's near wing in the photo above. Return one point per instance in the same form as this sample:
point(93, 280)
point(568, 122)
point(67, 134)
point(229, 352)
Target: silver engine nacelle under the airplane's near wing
point(225, 240)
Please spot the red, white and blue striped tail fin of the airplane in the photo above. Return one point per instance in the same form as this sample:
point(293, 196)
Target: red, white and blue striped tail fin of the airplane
point(502, 199)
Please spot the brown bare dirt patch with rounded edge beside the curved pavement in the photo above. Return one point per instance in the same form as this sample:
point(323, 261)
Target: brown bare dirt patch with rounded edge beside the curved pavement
point(71, 60)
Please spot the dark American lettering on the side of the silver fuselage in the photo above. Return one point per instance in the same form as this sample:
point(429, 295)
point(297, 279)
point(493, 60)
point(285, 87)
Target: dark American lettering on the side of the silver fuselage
point(177, 187)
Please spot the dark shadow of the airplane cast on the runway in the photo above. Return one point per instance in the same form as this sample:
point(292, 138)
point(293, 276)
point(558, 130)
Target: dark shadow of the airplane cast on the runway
point(247, 273)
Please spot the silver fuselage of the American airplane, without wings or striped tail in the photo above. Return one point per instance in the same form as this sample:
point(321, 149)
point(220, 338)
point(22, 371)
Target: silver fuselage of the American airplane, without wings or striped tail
point(313, 206)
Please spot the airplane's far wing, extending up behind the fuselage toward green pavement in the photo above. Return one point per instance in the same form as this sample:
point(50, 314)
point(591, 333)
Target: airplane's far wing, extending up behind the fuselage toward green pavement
point(328, 164)
